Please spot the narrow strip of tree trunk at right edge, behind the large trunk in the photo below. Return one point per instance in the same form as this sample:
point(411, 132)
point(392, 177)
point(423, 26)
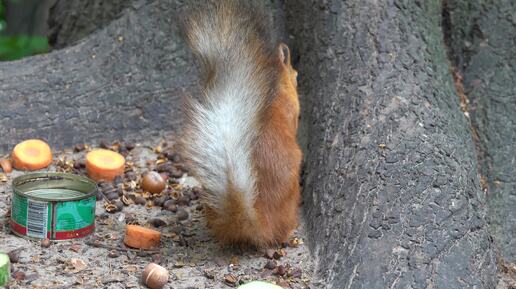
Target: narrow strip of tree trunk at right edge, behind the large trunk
point(481, 38)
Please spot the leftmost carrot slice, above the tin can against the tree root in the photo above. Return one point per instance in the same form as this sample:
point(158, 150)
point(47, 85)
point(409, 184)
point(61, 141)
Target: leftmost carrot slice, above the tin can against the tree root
point(32, 154)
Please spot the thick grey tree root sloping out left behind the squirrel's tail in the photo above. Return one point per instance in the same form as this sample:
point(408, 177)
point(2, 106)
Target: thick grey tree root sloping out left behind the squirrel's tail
point(124, 81)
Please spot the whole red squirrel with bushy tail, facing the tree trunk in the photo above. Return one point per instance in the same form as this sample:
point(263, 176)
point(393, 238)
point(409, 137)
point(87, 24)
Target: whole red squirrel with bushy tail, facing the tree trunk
point(239, 138)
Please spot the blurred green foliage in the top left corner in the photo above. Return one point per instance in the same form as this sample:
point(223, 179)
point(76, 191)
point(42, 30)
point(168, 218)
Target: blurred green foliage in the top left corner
point(19, 46)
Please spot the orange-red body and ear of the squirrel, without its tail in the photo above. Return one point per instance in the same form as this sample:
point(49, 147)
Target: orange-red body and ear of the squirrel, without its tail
point(276, 159)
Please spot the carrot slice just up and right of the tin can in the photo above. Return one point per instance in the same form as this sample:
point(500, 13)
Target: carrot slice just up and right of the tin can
point(104, 165)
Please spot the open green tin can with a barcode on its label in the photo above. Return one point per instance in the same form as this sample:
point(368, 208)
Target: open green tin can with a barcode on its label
point(56, 206)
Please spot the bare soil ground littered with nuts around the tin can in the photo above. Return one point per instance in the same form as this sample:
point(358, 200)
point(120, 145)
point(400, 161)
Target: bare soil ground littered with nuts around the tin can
point(187, 250)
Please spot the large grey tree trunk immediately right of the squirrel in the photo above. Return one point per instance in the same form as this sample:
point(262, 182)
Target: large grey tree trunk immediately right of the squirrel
point(391, 190)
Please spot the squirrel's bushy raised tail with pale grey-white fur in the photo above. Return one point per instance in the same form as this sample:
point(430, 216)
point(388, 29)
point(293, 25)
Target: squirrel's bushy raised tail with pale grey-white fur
point(234, 47)
